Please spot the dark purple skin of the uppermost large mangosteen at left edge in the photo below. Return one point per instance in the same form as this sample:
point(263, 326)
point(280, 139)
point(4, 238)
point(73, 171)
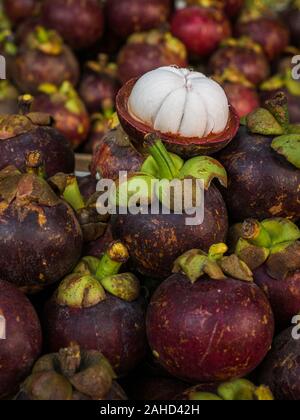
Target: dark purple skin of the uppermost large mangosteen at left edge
point(56, 152)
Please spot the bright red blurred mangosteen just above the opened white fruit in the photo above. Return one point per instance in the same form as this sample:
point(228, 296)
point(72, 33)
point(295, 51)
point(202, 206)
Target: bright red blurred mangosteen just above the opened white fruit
point(201, 29)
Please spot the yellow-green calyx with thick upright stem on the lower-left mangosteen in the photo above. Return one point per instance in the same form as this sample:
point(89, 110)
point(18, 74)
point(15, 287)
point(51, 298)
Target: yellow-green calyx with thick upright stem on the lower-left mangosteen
point(93, 277)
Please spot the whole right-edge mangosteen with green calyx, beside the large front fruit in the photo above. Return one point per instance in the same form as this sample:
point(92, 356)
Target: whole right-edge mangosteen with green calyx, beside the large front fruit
point(272, 249)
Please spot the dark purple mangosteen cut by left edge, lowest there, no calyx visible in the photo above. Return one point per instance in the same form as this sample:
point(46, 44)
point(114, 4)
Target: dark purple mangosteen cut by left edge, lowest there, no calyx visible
point(20, 335)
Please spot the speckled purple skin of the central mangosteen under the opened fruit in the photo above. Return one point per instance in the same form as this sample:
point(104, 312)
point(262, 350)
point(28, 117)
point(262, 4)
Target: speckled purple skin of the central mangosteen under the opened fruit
point(155, 241)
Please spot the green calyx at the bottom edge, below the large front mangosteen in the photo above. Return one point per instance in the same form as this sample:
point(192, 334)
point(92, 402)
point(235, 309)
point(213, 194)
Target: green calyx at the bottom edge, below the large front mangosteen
point(238, 390)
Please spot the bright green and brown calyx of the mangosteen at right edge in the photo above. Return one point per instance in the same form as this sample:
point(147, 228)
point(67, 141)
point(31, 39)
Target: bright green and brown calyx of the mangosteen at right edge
point(273, 241)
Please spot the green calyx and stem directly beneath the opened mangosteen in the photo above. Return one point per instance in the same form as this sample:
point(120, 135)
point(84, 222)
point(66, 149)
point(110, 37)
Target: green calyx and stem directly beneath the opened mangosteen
point(161, 167)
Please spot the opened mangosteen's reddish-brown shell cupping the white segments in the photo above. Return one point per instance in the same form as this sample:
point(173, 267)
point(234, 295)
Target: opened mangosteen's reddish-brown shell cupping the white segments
point(183, 146)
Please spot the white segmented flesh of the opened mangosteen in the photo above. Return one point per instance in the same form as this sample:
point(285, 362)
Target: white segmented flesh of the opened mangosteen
point(179, 101)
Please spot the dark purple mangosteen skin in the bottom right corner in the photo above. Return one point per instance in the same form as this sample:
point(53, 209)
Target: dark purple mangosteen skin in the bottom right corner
point(281, 369)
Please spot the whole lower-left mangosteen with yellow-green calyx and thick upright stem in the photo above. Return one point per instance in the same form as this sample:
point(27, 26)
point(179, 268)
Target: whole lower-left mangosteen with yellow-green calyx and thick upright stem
point(100, 309)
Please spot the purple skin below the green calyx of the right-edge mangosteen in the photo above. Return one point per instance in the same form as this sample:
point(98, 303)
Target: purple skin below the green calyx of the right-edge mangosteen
point(284, 295)
